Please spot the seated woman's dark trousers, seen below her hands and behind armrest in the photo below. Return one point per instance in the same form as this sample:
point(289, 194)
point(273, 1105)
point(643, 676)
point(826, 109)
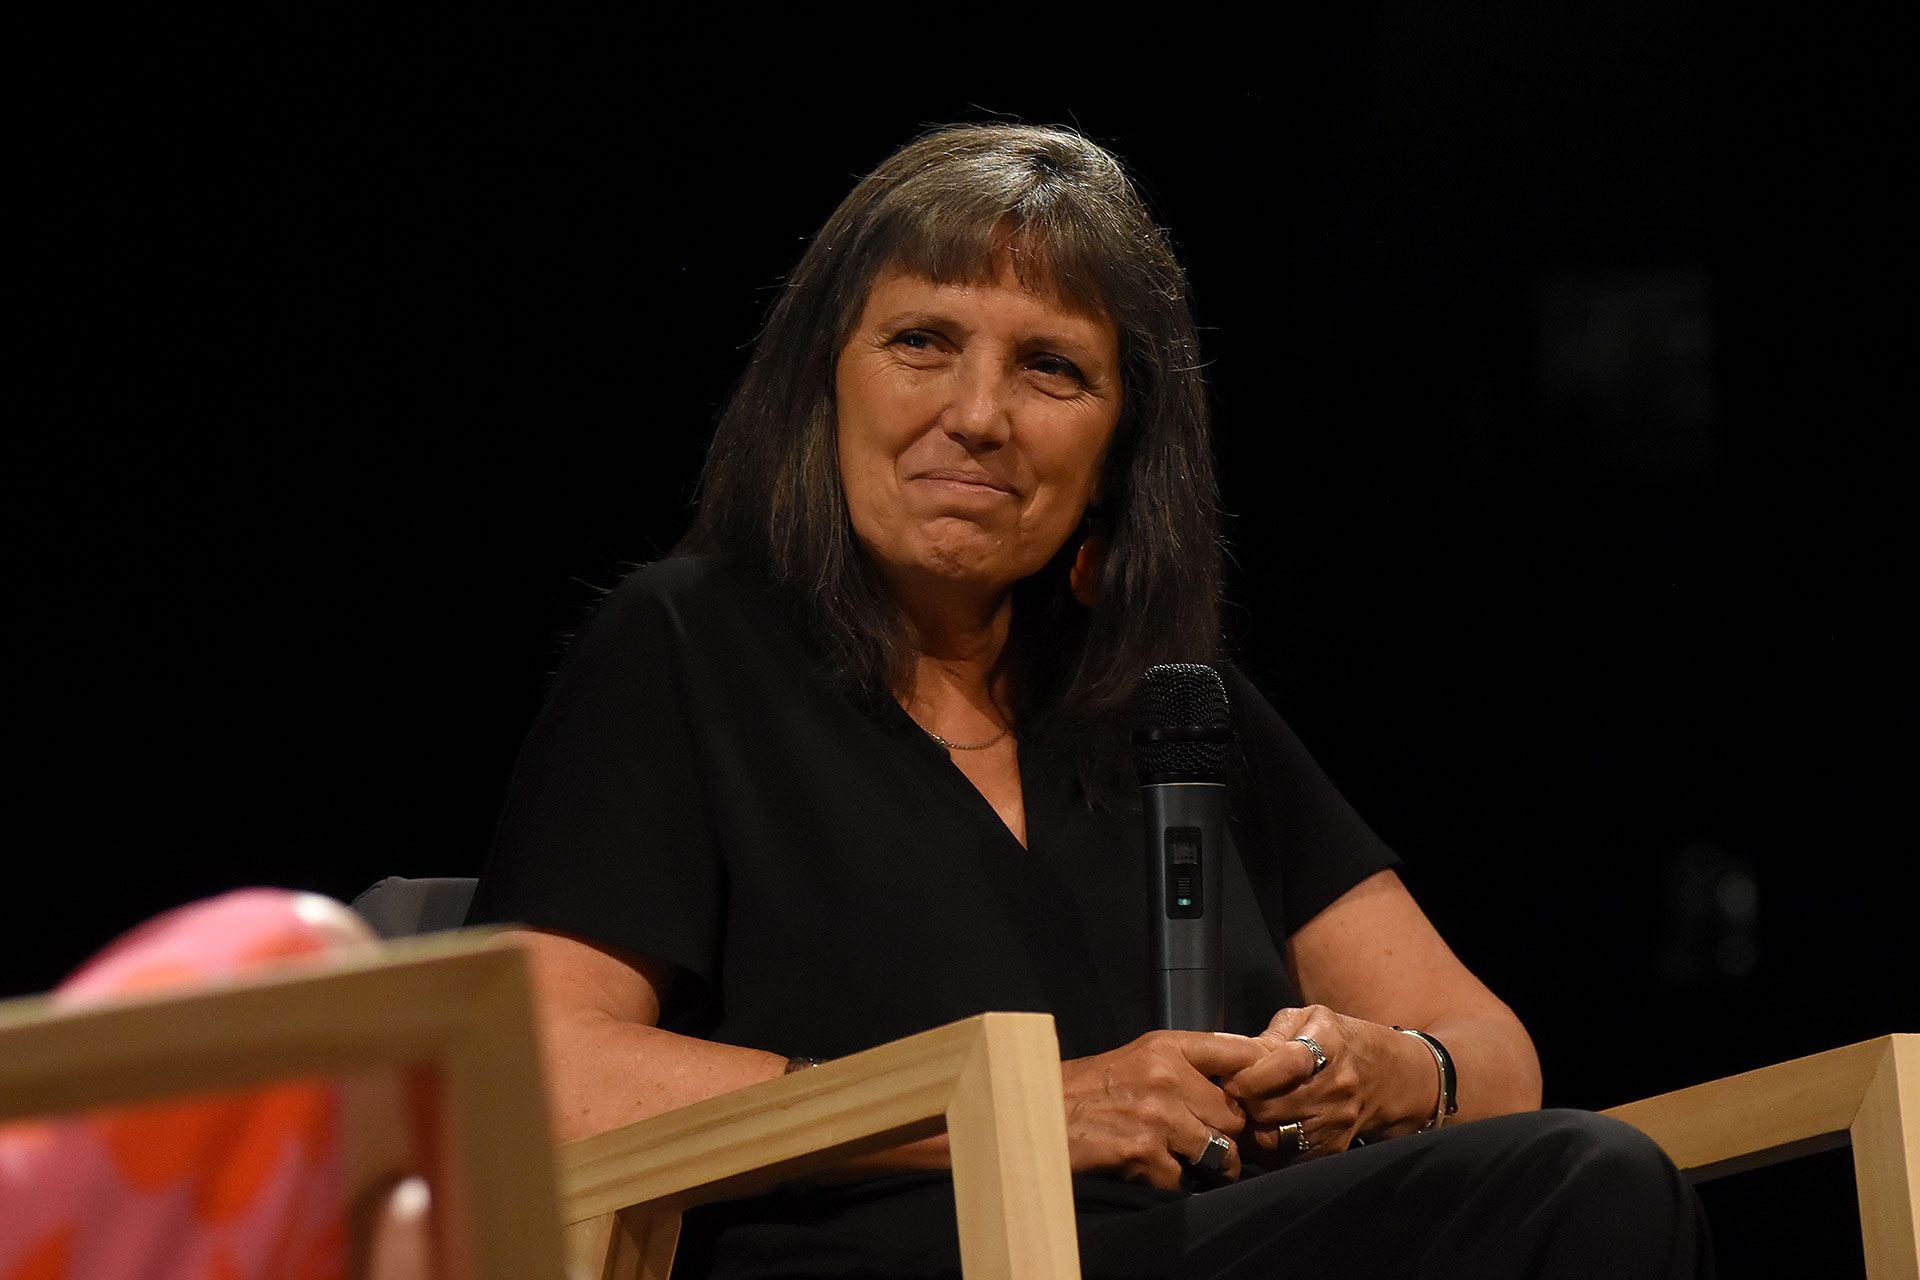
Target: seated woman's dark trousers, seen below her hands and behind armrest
point(1552, 1195)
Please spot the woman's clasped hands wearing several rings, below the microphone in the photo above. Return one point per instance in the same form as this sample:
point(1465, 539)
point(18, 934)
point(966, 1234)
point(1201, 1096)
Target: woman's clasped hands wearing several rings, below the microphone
point(1149, 1108)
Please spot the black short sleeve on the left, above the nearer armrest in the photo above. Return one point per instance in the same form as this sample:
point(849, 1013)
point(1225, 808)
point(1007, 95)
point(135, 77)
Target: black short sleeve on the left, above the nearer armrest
point(606, 832)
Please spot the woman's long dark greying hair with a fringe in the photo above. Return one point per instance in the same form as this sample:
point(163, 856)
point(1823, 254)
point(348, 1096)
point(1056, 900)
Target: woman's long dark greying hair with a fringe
point(771, 492)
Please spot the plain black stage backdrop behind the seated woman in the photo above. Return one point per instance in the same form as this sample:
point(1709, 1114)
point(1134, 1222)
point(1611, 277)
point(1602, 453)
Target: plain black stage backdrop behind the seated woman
point(1558, 364)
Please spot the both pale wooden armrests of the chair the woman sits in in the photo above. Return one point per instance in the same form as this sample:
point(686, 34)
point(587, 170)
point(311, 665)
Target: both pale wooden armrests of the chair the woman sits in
point(623, 1193)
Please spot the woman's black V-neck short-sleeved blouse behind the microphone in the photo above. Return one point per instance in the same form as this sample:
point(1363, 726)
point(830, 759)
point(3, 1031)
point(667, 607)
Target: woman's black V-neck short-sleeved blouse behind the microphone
point(825, 878)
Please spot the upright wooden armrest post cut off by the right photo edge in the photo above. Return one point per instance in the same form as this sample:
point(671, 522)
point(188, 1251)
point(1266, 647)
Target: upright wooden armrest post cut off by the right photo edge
point(1886, 1164)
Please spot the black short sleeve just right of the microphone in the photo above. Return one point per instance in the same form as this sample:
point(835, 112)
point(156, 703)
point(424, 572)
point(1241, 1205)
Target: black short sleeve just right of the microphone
point(1303, 841)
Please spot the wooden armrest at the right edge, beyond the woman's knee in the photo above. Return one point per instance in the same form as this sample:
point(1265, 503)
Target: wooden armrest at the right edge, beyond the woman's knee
point(1865, 1095)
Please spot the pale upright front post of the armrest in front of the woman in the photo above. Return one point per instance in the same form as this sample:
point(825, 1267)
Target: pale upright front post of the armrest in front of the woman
point(1009, 1135)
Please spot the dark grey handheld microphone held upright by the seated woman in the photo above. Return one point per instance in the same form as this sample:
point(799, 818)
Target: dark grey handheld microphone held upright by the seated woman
point(1182, 746)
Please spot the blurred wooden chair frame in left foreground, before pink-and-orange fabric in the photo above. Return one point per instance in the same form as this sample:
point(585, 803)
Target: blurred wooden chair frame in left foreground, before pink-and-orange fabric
point(456, 1005)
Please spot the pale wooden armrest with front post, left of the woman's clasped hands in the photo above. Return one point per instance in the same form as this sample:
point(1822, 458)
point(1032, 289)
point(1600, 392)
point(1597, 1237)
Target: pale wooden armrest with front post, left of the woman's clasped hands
point(990, 1081)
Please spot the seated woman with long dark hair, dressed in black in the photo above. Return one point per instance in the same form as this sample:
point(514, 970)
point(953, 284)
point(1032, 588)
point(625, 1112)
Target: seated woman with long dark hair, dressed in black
point(853, 765)
